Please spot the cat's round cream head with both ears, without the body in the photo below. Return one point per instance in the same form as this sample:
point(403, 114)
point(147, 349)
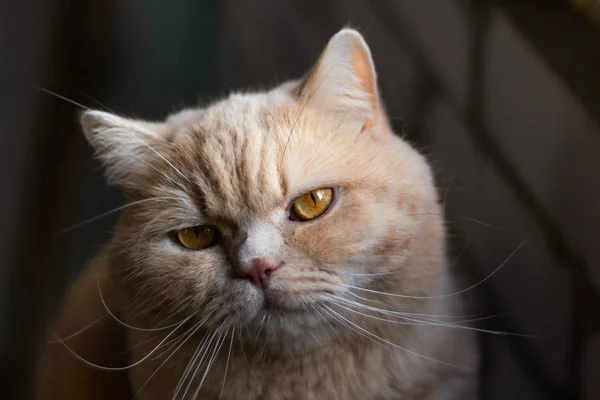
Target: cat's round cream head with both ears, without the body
point(263, 208)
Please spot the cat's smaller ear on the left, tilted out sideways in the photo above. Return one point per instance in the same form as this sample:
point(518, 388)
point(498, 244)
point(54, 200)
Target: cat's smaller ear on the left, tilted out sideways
point(122, 145)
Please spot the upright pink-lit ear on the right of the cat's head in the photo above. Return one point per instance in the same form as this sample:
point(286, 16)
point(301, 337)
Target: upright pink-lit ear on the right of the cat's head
point(344, 81)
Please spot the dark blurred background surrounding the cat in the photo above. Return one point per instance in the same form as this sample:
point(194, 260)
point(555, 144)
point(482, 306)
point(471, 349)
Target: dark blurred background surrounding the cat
point(502, 96)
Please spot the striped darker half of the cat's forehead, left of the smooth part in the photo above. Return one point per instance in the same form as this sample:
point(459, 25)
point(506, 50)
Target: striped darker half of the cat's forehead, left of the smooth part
point(233, 156)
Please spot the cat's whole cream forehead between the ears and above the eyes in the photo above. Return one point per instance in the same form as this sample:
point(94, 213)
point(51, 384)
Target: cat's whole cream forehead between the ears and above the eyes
point(249, 153)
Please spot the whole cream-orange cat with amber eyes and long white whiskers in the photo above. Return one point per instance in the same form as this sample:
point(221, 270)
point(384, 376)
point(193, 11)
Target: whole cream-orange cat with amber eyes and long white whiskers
point(275, 245)
